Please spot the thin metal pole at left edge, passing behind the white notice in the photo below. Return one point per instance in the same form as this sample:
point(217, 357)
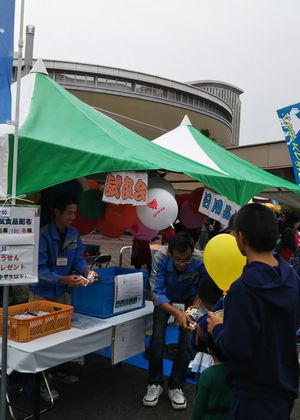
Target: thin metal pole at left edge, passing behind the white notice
point(13, 193)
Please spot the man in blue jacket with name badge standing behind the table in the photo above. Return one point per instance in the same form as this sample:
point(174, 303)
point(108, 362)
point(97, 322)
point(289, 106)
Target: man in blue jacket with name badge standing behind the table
point(61, 261)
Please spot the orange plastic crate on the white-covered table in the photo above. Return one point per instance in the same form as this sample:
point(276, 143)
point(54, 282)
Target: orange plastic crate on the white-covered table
point(58, 319)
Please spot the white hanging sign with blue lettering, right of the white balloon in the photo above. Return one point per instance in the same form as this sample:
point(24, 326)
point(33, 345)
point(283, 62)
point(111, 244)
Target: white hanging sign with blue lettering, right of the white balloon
point(217, 207)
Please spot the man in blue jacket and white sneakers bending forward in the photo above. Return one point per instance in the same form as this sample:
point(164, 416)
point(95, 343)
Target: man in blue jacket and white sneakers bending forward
point(176, 271)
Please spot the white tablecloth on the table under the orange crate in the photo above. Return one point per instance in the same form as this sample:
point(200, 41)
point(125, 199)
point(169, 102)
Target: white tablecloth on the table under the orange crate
point(43, 353)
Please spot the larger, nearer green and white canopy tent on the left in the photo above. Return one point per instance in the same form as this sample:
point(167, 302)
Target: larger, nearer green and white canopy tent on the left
point(62, 138)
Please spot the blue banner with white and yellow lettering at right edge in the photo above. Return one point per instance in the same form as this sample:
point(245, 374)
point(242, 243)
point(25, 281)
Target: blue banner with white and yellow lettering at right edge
point(289, 118)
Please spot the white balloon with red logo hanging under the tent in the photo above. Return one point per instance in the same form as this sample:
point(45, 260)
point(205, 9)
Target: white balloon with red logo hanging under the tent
point(161, 209)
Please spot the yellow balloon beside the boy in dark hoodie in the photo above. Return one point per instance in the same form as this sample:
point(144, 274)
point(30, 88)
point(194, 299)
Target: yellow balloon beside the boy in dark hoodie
point(223, 260)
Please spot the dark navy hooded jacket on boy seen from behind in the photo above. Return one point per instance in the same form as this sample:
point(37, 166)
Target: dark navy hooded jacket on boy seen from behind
point(261, 316)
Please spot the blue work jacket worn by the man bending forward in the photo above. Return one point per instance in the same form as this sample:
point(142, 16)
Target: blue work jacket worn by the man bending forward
point(170, 285)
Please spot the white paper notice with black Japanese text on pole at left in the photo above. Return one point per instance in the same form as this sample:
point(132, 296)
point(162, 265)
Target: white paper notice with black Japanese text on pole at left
point(19, 242)
